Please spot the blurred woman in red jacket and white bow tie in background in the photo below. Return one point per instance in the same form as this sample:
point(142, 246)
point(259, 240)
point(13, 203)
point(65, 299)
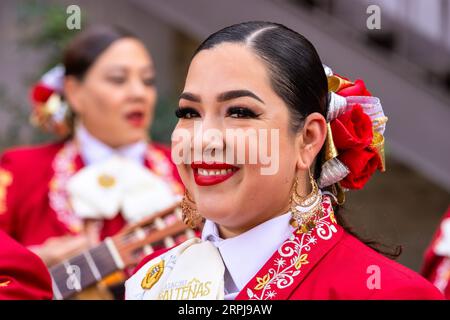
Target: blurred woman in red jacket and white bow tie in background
point(59, 198)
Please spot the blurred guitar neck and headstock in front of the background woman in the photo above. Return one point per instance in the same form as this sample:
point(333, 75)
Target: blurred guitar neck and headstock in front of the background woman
point(124, 250)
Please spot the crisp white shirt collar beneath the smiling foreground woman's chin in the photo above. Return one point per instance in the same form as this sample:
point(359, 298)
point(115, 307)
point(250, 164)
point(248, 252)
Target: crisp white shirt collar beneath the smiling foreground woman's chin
point(245, 254)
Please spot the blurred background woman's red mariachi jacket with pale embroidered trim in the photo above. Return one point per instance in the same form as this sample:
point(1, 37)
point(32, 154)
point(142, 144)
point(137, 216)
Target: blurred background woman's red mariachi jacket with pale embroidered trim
point(34, 202)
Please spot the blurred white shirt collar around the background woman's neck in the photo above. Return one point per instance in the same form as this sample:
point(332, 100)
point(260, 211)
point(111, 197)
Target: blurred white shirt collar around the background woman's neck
point(94, 151)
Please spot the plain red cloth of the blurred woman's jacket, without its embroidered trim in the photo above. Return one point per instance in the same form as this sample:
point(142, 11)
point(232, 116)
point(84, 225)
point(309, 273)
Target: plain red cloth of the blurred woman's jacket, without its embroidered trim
point(27, 197)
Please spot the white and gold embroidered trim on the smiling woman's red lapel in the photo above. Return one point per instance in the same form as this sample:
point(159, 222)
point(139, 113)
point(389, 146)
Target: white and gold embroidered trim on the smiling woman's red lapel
point(293, 254)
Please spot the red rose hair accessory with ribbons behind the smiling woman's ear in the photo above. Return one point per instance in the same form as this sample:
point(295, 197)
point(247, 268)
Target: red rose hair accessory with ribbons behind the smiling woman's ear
point(354, 146)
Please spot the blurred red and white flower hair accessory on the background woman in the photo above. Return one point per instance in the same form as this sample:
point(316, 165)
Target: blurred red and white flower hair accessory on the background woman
point(50, 112)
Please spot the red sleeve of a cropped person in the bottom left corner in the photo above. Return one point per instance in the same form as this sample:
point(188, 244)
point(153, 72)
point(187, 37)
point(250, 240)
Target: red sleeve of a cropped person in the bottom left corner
point(22, 274)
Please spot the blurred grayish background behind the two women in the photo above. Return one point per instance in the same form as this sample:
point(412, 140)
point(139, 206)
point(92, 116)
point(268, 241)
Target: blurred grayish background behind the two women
point(406, 63)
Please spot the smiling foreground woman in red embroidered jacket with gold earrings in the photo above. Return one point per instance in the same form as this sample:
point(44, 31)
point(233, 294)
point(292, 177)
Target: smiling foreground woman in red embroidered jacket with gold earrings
point(274, 236)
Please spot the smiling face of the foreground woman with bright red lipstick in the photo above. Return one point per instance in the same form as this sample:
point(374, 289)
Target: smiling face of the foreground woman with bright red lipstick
point(228, 88)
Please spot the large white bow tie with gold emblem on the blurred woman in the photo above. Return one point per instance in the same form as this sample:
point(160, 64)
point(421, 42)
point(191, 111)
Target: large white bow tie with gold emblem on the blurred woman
point(103, 190)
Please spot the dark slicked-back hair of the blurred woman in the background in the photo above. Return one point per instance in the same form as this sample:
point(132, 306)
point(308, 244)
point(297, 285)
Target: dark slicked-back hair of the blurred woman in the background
point(87, 46)
